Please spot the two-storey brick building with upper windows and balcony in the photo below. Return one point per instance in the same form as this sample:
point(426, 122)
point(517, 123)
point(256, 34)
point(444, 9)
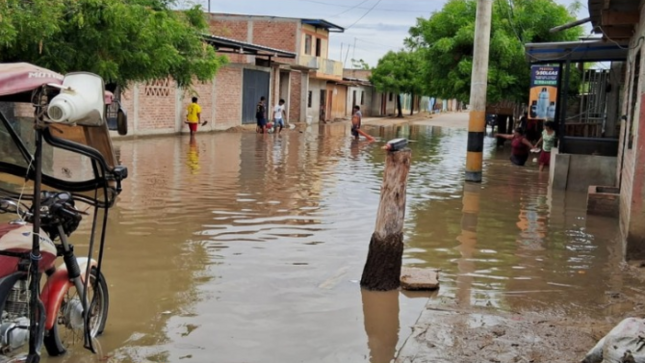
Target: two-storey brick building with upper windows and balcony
point(315, 91)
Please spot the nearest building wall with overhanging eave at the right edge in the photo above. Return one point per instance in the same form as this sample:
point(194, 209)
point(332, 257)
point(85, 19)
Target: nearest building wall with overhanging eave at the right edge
point(623, 22)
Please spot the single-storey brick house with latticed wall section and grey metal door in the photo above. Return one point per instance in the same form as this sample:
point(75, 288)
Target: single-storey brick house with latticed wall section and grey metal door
point(158, 107)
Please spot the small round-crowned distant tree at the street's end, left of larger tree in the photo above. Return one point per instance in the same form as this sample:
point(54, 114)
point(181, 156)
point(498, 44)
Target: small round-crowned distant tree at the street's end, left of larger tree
point(397, 72)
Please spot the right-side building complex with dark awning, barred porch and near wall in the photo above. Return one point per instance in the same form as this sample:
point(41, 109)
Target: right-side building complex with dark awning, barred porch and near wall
point(601, 133)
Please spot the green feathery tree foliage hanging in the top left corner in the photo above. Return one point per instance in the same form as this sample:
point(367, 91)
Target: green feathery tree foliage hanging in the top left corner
point(123, 41)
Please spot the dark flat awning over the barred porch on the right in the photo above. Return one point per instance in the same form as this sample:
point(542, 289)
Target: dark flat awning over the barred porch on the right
point(580, 51)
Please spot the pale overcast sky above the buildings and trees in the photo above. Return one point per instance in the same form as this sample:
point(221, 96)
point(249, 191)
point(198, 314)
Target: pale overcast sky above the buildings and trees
point(375, 26)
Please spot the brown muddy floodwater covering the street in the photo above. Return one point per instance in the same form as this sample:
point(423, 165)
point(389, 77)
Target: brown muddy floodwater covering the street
point(249, 248)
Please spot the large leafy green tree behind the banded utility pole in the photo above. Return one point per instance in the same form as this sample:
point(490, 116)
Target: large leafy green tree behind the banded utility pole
point(446, 40)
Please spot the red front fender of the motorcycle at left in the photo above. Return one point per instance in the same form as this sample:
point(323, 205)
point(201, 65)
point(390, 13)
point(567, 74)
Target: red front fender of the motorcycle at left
point(56, 287)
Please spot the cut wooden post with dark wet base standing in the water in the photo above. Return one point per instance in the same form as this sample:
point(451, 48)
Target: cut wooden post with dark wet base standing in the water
point(382, 270)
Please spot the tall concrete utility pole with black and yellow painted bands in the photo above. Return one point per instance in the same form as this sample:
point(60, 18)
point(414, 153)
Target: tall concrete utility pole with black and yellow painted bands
point(478, 88)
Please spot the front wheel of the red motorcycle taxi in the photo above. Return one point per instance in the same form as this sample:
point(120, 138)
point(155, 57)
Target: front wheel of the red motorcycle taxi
point(68, 329)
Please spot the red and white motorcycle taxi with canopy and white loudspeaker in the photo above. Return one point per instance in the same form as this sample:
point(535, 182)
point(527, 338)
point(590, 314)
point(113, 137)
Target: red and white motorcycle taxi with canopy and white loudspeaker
point(70, 114)
